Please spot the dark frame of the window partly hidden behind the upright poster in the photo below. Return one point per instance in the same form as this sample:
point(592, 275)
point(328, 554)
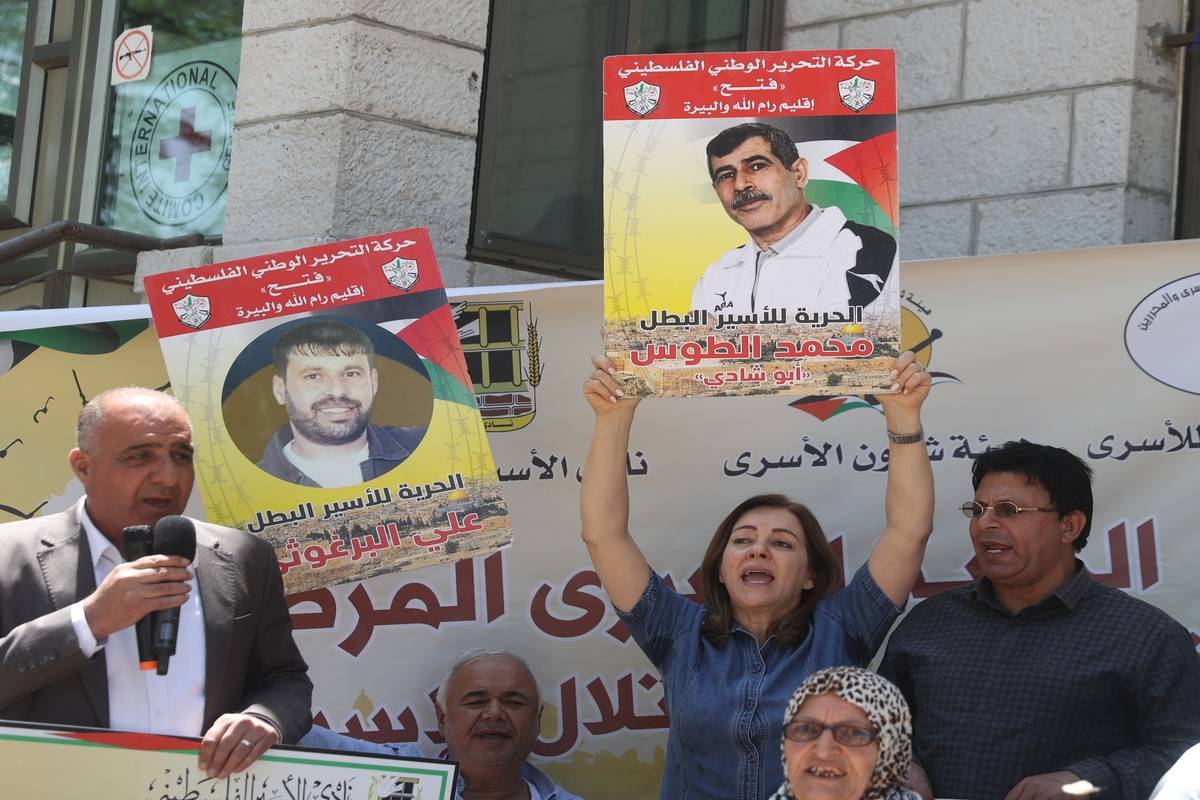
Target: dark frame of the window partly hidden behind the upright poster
point(764, 32)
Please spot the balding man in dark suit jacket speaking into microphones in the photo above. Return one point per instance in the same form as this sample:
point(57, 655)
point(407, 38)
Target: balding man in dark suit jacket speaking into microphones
point(69, 603)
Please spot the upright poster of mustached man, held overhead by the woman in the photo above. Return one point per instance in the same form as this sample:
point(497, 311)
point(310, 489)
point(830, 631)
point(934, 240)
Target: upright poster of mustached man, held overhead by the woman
point(752, 214)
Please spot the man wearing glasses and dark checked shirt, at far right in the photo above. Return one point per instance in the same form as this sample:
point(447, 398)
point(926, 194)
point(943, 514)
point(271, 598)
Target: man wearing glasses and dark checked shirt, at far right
point(1037, 676)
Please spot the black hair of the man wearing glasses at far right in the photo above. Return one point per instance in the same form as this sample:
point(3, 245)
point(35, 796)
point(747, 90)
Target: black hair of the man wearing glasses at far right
point(1064, 476)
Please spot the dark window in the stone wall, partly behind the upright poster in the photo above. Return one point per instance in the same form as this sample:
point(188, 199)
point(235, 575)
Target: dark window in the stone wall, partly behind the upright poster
point(539, 175)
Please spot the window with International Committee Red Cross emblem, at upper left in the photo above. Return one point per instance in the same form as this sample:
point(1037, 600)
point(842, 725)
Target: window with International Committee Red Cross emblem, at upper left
point(149, 158)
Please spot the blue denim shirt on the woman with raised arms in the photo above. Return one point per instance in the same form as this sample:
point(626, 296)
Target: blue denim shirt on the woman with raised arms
point(728, 703)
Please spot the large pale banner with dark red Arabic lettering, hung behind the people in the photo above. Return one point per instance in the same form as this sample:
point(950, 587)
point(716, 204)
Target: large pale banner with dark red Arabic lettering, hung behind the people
point(1112, 377)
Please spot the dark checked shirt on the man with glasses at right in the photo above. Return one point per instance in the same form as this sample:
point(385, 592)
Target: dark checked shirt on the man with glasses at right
point(1089, 681)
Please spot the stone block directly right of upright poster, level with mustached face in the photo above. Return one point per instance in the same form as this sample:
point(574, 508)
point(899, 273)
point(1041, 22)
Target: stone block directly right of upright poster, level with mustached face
point(986, 149)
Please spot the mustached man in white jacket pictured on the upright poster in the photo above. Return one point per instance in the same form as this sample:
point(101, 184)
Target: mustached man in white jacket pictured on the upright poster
point(800, 256)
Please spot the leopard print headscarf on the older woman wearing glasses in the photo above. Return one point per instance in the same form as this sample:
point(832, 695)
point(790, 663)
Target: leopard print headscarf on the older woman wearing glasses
point(887, 711)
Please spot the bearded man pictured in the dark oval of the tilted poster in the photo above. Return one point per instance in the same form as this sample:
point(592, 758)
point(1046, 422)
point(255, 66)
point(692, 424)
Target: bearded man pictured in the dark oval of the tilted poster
point(326, 377)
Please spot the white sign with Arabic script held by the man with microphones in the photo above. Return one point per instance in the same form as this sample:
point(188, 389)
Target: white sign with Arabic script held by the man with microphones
point(143, 766)
